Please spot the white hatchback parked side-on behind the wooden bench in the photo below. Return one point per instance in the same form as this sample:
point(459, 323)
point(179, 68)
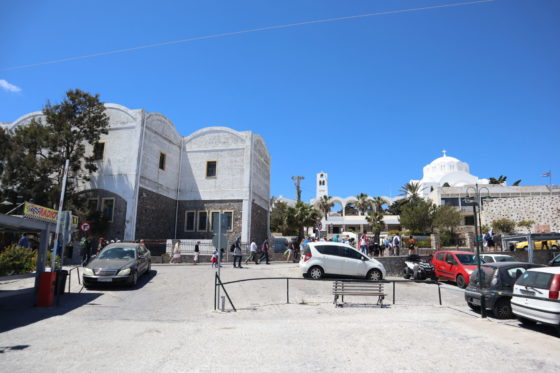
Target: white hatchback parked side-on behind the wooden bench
point(320, 258)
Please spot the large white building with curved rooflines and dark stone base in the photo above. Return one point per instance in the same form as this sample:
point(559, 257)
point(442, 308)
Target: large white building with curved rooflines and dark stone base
point(154, 183)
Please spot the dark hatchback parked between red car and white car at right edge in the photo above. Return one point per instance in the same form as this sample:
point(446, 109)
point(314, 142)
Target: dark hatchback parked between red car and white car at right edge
point(500, 276)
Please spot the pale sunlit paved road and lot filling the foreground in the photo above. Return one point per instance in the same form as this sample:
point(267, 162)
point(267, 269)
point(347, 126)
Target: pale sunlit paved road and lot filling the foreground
point(168, 324)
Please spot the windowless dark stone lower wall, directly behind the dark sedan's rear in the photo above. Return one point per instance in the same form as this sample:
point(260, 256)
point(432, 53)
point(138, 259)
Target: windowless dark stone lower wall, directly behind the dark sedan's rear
point(155, 215)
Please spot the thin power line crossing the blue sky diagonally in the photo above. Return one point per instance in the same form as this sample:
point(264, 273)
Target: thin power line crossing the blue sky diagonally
point(221, 35)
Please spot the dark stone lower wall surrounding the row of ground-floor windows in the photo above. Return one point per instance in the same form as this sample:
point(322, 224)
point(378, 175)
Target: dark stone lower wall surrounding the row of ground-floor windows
point(210, 205)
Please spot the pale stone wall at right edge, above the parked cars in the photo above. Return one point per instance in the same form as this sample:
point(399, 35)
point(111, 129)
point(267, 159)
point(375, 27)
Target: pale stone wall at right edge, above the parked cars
point(542, 209)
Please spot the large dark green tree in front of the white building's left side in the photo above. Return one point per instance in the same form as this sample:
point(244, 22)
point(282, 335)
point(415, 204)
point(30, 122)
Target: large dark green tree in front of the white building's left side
point(39, 150)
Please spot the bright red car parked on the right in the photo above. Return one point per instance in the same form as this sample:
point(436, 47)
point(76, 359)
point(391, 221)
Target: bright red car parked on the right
point(455, 266)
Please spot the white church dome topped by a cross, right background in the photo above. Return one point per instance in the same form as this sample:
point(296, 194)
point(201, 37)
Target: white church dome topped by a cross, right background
point(448, 171)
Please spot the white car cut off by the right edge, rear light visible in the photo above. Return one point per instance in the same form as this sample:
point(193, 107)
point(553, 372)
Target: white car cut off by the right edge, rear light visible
point(541, 283)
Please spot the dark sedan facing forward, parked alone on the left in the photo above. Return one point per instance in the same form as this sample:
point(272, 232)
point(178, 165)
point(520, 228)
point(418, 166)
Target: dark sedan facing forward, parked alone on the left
point(118, 263)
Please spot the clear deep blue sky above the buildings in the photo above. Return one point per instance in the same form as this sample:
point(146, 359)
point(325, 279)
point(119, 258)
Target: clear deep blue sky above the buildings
point(369, 100)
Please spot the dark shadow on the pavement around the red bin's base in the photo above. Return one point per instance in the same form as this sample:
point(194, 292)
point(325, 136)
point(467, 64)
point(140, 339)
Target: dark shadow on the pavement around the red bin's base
point(19, 310)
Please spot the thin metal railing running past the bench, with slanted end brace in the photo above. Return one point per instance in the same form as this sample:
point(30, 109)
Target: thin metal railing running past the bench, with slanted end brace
point(218, 283)
